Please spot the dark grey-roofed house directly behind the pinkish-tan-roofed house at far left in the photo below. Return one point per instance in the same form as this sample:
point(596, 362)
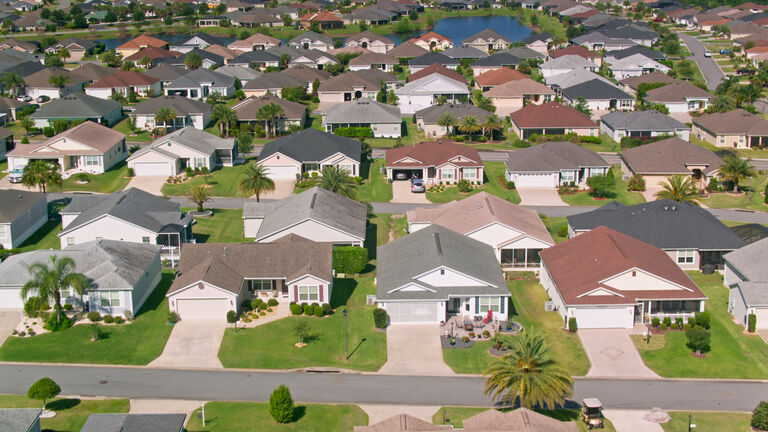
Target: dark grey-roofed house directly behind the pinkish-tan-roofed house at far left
point(78, 106)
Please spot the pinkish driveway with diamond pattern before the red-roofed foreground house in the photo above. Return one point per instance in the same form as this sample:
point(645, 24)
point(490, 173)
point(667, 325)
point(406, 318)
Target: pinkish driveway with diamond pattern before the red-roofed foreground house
point(612, 354)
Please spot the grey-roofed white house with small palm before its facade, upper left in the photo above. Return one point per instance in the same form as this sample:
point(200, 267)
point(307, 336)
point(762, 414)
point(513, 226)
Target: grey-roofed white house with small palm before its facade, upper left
point(188, 113)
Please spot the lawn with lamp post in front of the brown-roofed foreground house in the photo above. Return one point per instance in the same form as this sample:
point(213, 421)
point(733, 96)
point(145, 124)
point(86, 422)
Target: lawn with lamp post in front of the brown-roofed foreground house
point(271, 346)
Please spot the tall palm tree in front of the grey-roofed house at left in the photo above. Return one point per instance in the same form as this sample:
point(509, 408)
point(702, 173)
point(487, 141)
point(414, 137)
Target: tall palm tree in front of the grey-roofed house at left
point(47, 283)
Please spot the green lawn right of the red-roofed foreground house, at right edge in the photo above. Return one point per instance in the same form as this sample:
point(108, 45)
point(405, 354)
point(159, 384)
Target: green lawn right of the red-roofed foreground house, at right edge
point(733, 354)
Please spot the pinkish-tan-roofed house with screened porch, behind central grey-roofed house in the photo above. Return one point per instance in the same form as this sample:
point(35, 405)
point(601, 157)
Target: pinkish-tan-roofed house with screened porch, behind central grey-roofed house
point(515, 233)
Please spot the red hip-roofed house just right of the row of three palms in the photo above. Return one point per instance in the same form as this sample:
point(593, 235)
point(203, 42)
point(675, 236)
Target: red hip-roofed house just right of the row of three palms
point(551, 118)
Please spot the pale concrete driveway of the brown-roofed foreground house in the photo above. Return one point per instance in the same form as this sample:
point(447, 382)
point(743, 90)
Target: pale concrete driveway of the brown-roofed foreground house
point(192, 344)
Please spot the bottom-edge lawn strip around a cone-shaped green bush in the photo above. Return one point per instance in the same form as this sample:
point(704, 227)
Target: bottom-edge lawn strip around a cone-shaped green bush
point(254, 416)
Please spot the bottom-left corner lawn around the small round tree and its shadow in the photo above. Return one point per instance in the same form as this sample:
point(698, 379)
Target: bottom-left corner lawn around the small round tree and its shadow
point(70, 413)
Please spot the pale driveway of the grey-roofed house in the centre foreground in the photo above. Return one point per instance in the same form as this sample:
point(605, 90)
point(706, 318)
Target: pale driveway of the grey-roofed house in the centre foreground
point(414, 350)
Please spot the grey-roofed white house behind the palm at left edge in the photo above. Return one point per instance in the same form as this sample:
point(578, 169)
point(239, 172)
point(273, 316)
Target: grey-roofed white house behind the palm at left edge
point(122, 275)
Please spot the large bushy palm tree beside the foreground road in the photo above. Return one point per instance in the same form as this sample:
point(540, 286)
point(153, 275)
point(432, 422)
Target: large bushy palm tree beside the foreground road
point(529, 373)
